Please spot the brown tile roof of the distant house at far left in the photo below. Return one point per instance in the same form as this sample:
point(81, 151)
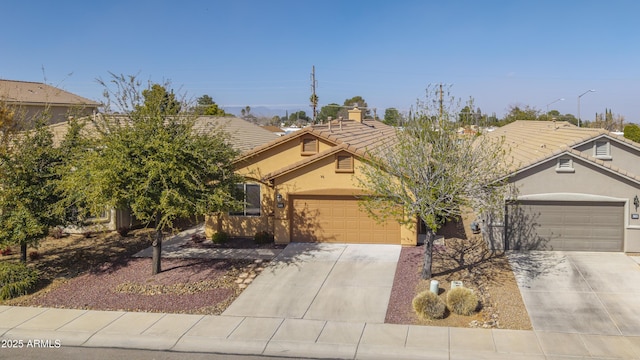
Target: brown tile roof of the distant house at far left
point(25, 92)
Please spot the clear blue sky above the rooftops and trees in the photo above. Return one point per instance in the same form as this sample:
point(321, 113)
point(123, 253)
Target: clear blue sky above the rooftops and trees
point(260, 53)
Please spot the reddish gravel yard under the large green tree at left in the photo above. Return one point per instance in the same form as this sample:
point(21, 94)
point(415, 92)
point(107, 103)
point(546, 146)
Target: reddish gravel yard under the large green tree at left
point(184, 286)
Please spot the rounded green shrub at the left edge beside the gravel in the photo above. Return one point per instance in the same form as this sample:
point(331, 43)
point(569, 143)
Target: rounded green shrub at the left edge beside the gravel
point(16, 279)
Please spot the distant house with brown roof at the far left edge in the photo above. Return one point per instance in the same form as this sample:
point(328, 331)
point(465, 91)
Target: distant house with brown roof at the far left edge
point(32, 99)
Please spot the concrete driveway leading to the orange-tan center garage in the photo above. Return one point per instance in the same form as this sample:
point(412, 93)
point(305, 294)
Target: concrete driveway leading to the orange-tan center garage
point(340, 282)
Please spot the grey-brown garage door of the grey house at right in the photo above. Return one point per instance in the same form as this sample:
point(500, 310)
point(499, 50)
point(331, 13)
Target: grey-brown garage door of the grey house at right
point(569, 226)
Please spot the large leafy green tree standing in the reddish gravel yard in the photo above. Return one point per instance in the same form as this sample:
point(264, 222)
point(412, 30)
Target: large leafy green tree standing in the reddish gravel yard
point(149, 160)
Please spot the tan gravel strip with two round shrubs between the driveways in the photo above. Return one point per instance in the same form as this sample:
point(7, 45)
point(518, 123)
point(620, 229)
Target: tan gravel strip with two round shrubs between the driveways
point(488, 274)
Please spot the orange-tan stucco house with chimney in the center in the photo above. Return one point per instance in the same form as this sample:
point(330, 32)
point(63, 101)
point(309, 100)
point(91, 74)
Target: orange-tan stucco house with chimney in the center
point(302, 187)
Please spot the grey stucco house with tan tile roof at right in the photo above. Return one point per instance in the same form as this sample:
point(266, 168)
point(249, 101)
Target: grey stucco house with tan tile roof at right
point(578, 189)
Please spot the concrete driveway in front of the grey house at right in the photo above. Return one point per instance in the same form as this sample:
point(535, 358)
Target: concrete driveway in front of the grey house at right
point(580, 292)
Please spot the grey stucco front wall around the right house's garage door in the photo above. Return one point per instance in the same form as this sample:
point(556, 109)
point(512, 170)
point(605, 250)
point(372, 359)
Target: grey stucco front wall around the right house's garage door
point(587, 181)
